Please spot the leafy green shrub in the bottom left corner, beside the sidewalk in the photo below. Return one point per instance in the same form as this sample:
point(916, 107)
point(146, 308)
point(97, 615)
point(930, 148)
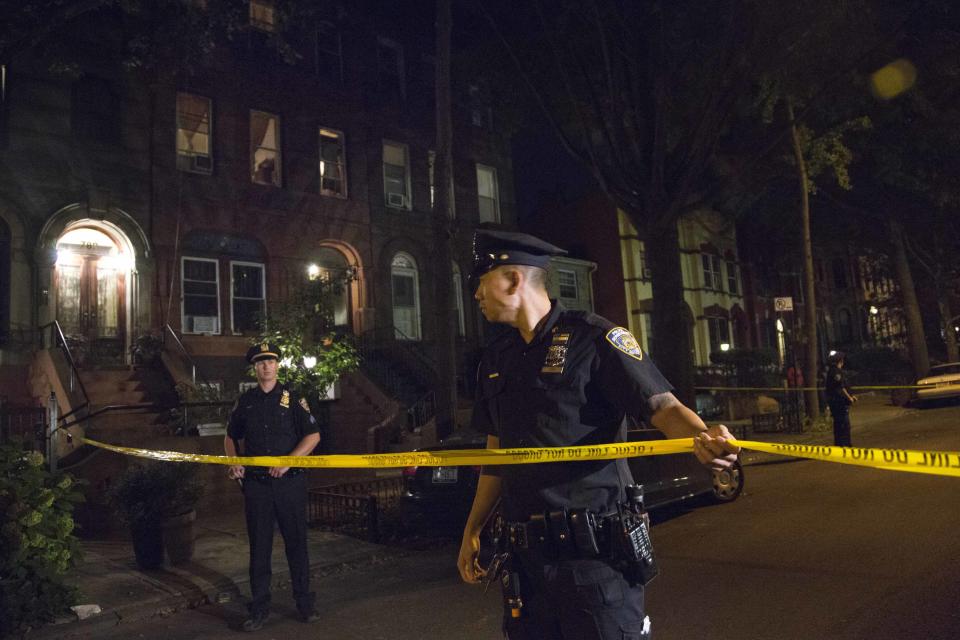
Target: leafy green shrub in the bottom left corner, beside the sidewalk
point(37, 545)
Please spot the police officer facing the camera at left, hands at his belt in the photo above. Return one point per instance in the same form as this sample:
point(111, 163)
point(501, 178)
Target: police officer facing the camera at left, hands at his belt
point(271, 420)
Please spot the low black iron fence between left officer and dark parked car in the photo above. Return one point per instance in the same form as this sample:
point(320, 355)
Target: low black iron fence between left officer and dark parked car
point(353, 508)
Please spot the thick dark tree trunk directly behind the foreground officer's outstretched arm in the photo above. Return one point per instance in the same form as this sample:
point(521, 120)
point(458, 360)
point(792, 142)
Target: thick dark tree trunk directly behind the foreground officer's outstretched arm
point(671, 347)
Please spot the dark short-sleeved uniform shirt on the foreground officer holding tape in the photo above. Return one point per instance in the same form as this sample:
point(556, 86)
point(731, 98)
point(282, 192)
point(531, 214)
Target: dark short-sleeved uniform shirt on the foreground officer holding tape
point(570, 386)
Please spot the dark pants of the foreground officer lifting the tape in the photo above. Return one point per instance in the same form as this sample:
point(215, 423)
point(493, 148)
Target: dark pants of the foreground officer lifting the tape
point(574, 600)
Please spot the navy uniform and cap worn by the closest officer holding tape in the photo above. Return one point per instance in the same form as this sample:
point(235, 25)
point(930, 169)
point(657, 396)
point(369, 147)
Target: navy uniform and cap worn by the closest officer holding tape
point(573, 384)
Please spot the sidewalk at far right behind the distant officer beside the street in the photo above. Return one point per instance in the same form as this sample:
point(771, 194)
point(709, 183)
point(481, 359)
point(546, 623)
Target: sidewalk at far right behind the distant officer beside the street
point(871, 408)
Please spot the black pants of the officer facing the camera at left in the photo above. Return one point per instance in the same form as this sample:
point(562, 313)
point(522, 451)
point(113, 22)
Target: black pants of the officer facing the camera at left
point(284, 501)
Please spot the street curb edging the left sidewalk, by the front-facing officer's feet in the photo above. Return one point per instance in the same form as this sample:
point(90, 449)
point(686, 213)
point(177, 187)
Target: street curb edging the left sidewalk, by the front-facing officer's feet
point(169, 604)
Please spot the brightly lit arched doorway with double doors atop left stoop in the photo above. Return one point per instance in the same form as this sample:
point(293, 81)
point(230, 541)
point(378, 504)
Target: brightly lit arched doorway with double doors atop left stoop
point(91, 284)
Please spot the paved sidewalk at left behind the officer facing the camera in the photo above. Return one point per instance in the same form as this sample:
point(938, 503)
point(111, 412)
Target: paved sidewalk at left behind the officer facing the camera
point(110, 578)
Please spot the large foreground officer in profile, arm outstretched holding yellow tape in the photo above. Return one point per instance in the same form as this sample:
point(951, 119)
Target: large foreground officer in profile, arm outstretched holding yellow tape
point(563, 378)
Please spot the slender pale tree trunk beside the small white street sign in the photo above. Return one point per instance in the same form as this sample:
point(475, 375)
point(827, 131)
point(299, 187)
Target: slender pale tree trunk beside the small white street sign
point(810, 302)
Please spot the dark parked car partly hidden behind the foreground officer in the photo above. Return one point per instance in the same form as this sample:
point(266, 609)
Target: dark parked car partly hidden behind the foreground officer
point(441, 497)
